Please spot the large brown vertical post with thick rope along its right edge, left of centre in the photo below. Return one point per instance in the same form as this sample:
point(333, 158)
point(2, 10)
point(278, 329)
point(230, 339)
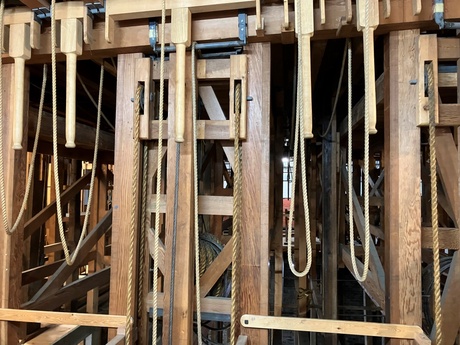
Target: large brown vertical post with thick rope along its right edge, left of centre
point(123, 172)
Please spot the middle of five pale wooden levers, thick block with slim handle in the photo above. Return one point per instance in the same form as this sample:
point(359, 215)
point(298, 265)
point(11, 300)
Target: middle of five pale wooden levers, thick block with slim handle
point(181, 24)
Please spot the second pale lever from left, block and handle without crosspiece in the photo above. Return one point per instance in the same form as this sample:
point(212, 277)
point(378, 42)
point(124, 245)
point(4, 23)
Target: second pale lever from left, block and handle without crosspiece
point(71, 46)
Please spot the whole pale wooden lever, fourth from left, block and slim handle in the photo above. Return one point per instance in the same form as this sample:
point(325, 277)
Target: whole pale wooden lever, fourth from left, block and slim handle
point(307, 28)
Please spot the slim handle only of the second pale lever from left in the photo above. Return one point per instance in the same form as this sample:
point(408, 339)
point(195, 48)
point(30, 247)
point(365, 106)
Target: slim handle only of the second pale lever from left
point(70, 120)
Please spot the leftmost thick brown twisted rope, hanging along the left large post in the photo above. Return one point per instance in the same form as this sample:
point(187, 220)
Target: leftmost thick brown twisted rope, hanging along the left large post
point(132, 225)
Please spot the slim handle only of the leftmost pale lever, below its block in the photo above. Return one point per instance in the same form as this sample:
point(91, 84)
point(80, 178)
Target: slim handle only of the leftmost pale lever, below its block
point(19, 64)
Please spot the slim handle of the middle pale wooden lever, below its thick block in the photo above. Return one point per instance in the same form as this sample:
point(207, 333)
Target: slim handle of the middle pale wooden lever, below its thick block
point(179, 109)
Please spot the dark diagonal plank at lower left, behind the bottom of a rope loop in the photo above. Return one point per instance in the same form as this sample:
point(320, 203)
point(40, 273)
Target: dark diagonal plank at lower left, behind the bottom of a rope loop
point(63, 272)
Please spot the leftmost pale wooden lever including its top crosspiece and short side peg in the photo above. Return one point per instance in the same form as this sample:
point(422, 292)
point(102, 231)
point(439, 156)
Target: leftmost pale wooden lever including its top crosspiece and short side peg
point(24, 34)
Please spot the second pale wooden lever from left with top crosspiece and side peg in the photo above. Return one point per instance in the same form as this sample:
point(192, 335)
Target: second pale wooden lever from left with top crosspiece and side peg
point(75, 25)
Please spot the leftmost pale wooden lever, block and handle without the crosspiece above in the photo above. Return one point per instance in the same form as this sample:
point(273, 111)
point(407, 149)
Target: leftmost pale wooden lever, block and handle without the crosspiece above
point(20, 50)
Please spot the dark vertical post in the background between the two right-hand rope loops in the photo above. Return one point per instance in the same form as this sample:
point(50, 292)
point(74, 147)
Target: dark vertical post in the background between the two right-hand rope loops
point(330, 233)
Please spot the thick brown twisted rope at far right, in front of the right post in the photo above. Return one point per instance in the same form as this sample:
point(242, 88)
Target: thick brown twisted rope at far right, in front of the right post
point(434, 208)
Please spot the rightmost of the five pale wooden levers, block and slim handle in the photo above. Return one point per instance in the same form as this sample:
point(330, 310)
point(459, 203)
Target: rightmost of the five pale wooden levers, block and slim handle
point(369, 61)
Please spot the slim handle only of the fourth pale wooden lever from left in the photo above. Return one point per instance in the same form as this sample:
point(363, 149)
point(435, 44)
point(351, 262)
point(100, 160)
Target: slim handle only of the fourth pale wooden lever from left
point(306, 87)
